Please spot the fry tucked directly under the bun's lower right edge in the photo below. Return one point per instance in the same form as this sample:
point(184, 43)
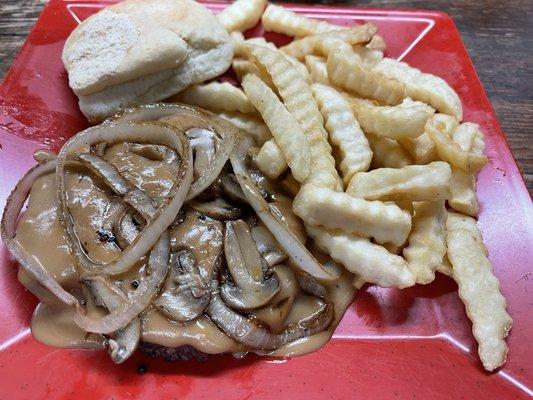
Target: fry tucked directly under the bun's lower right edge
point(215, 96)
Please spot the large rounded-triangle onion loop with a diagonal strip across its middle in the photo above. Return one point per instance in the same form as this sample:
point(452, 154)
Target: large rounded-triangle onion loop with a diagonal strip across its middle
point(158, 220)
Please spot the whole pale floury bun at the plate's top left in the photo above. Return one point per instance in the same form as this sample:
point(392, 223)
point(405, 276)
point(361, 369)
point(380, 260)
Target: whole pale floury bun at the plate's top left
point(142, 51)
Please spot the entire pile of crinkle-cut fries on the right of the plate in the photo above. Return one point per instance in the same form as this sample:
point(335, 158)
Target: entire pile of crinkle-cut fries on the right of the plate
point(398, 201)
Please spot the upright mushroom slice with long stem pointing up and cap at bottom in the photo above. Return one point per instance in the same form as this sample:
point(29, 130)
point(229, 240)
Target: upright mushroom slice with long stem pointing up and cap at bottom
point(251, 288)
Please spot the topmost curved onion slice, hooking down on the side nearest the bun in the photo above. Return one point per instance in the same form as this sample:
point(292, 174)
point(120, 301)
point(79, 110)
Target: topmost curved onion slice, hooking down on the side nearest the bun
point(187, 118)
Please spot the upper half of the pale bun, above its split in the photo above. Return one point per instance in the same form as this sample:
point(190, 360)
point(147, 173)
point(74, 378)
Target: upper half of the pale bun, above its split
point(137, 38)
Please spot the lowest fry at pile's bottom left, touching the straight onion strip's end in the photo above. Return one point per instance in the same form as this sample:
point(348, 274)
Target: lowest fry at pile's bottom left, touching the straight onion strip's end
point(371, 262)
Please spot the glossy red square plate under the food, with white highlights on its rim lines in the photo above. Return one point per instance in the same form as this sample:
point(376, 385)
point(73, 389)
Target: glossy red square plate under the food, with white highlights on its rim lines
point(413, 343)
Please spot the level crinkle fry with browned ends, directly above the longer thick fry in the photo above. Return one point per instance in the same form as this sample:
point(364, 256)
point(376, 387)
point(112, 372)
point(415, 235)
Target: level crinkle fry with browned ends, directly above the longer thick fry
point(414, 183)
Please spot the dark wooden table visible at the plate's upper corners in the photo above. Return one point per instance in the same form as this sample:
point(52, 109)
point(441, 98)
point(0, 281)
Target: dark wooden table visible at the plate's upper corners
point(497, 33)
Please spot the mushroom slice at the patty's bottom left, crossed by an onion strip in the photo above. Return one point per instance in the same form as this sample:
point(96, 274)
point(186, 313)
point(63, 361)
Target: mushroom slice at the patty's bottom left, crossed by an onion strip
point(125, 340)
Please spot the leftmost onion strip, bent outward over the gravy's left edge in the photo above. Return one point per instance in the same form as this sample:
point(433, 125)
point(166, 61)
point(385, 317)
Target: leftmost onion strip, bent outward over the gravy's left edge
point(14, 205)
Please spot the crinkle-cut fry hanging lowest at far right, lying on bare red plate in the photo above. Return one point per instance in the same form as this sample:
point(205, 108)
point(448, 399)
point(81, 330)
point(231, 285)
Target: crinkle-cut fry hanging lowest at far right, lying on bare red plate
point(479, 289)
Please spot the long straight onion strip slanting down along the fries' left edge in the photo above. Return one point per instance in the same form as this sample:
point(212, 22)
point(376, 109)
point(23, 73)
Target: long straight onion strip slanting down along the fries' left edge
point(296, 250)
